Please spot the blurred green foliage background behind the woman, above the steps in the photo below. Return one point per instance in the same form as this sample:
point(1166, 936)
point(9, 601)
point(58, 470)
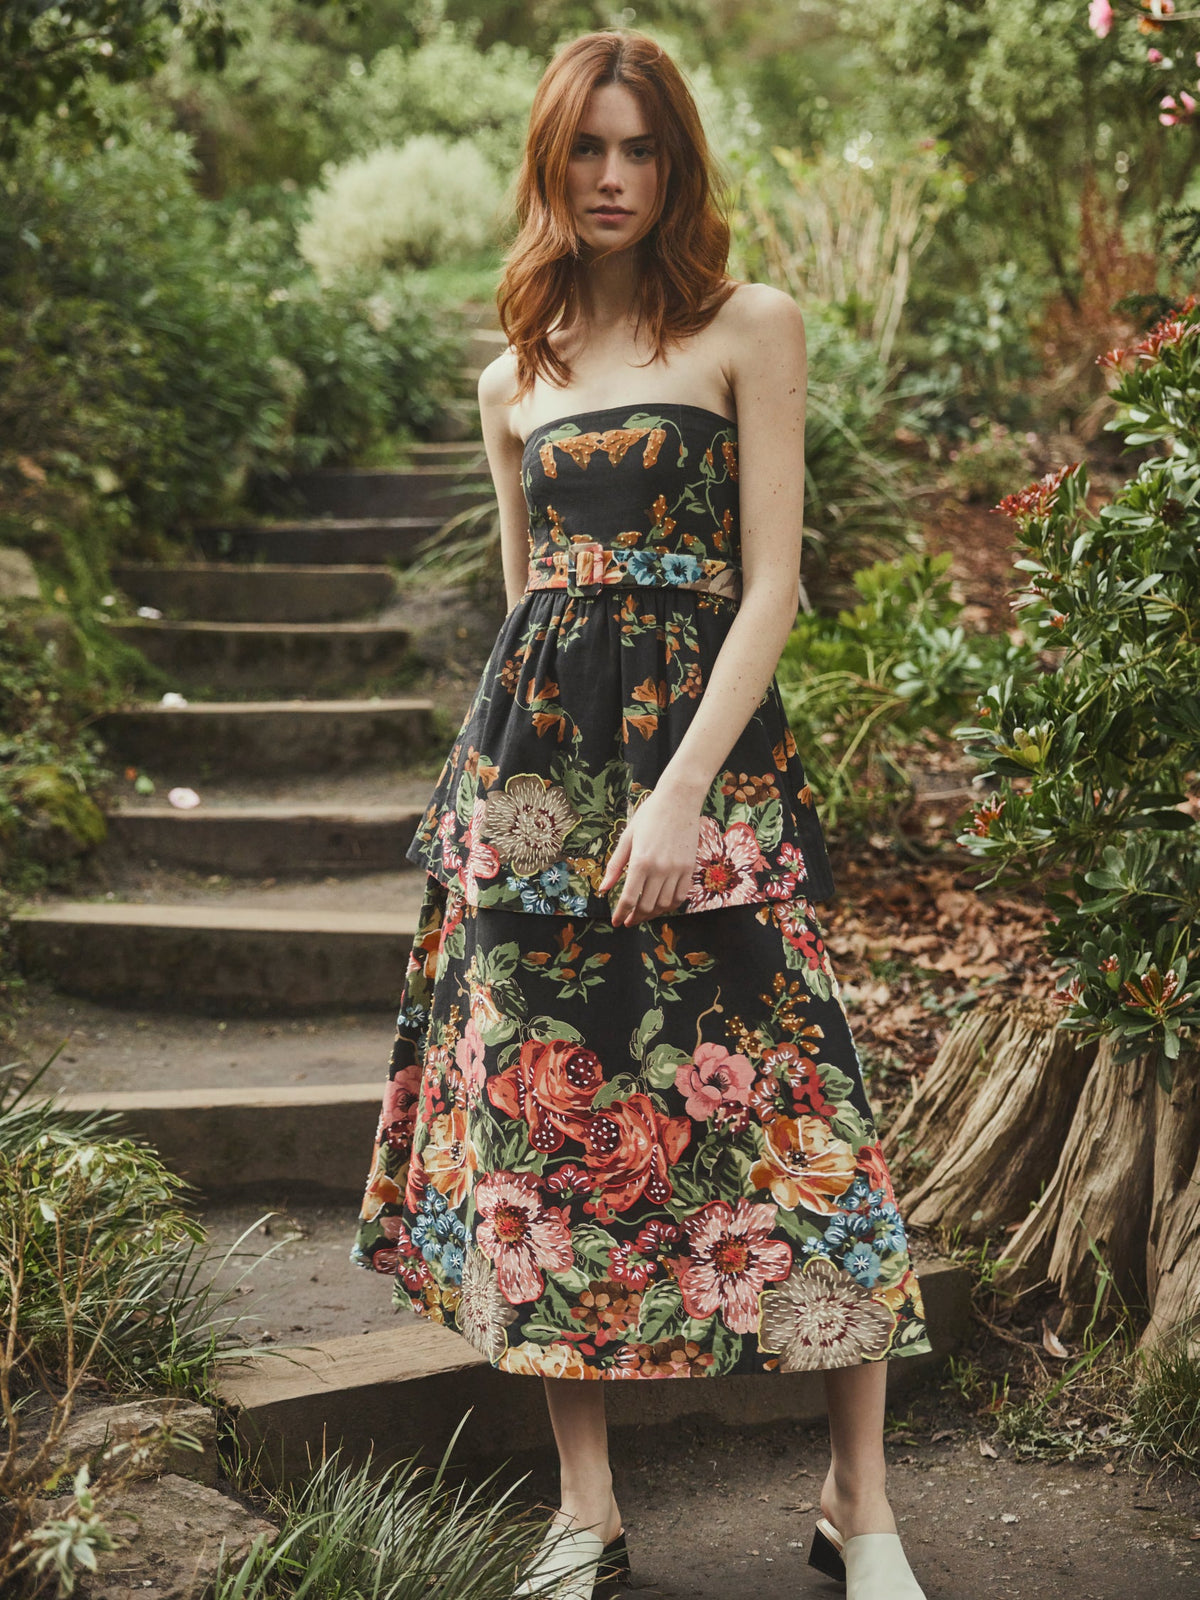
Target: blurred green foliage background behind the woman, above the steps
point(239, 238)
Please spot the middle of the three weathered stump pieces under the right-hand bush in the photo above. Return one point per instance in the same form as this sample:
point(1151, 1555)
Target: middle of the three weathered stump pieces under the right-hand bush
point(1100, 1194)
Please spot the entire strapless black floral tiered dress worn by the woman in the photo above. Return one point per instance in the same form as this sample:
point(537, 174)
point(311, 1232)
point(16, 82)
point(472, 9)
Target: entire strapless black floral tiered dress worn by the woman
point(641, 1151)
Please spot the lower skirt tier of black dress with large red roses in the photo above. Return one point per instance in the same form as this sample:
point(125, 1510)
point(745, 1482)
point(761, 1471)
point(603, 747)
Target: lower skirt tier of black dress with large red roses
point(668, 1174)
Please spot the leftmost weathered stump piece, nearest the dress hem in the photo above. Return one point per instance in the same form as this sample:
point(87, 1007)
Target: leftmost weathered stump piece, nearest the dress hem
point(993, 1111)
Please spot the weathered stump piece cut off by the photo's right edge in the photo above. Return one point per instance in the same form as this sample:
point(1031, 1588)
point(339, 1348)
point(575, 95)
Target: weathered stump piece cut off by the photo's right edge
point(1174, 1249)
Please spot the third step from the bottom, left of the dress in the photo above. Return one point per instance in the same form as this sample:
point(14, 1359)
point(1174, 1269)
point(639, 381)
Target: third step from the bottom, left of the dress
point(206, 958)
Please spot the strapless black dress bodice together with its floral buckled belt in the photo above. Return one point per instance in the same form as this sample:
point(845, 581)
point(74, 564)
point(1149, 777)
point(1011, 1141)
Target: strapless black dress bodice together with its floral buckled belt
point(634, 497)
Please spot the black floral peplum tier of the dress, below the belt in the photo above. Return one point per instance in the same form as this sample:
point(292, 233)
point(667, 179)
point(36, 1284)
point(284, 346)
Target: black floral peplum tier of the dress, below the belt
point(585, 700)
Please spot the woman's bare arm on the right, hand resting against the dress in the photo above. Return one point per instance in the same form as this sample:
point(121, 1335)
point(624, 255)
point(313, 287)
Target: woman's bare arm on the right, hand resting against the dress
point(770, 375)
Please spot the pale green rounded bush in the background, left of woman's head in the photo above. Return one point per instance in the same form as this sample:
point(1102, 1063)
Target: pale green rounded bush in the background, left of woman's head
point(430, 201)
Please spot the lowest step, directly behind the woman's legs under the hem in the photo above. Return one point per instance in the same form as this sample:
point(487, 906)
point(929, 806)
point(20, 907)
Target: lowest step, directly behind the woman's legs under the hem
point(404, 1391)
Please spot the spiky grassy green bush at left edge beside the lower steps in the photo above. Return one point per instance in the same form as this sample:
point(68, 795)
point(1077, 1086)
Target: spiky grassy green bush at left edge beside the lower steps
point(103, 1282)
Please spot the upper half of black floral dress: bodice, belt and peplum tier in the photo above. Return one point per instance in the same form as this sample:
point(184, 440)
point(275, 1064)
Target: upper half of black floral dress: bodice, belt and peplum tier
point(596, 674)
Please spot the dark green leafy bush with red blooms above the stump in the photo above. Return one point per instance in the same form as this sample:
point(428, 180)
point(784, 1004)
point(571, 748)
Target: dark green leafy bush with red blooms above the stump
point(1098, 762)
